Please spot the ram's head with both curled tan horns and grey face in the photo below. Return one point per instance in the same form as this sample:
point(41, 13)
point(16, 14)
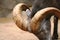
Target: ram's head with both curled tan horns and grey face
point(39, 24)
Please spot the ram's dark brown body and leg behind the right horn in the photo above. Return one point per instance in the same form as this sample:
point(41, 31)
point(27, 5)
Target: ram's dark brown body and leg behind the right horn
point(41, 4)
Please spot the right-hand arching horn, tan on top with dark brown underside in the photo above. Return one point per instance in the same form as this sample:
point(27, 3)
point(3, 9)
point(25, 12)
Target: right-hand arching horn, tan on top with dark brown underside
point(40, 15)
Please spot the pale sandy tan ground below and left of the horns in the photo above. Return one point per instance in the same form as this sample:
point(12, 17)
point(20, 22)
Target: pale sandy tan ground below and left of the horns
point(9, 31)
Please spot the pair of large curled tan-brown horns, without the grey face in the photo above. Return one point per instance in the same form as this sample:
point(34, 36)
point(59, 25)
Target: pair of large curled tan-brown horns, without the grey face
point(26, 23)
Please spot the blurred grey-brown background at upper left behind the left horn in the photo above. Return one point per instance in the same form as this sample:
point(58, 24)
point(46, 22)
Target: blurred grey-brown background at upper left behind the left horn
point(6, 6)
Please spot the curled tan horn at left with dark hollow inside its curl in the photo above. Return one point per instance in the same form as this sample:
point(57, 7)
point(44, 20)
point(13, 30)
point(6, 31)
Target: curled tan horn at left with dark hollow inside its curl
point(19, 17)
